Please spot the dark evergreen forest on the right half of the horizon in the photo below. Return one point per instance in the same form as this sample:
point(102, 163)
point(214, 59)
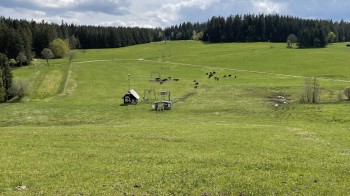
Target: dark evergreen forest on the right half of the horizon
point(263, 28)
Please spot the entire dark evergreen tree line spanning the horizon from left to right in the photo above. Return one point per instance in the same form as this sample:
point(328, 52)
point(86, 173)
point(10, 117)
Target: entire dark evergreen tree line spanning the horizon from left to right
point(22, 40)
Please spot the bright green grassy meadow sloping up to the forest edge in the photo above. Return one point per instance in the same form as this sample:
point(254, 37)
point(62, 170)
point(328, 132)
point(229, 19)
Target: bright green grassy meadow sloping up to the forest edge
point(71, 136)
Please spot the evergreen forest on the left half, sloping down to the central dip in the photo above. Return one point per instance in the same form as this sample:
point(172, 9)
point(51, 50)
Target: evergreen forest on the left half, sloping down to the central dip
point(30, 37)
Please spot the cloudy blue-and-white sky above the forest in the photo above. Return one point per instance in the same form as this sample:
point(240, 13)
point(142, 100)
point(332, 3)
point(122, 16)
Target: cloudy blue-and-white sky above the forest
point(162, 13)
